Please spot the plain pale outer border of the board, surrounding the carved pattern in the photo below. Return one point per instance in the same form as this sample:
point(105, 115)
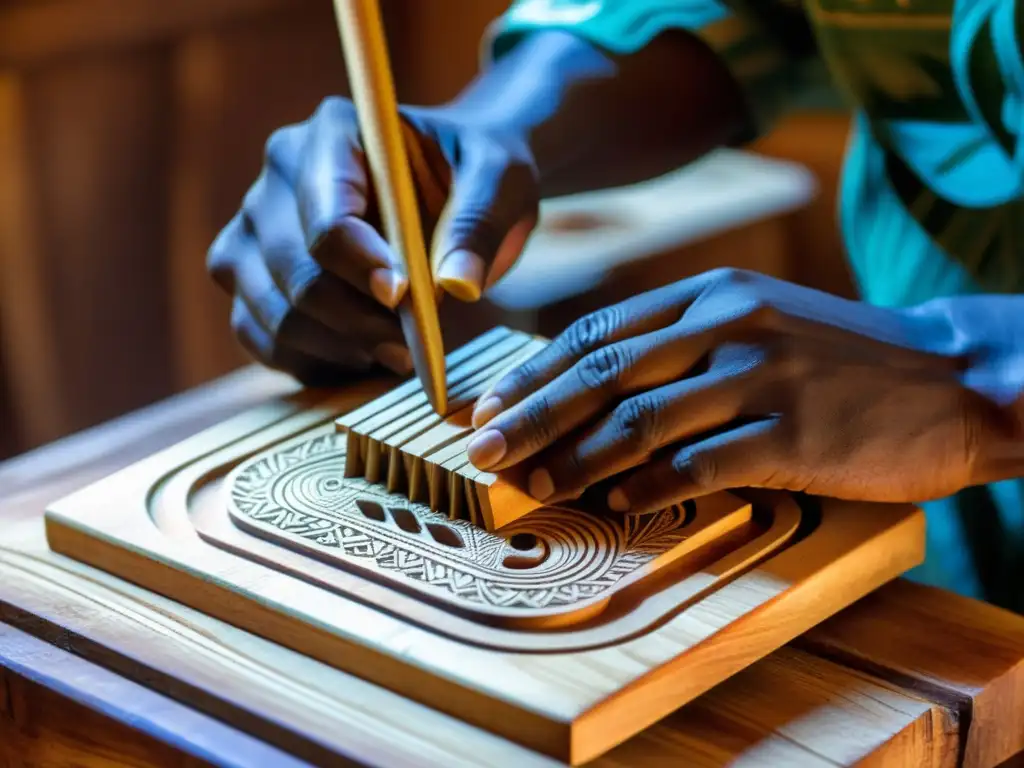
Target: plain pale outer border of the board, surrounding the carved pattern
point(574, 704)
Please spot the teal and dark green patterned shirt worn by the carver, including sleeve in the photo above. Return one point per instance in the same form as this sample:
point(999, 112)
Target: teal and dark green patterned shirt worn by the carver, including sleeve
point(932, 201)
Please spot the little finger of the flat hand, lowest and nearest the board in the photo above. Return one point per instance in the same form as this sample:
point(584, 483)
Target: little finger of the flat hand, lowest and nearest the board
point(750, 456)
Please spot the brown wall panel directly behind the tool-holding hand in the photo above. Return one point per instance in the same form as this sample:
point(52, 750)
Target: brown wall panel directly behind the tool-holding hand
point(233, 90)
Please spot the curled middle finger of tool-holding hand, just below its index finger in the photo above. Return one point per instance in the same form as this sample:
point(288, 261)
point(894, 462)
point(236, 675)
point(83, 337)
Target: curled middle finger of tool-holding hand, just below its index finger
point(358, 320)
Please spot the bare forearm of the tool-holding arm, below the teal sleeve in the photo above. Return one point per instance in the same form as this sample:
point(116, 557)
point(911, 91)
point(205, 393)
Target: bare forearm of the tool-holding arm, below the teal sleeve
point(595, 120)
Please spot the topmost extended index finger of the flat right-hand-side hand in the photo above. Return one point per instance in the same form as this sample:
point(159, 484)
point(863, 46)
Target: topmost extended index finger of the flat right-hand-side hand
point(638, 316)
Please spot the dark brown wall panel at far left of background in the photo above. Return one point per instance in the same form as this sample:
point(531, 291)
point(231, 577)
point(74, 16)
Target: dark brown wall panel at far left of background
point(102, 132)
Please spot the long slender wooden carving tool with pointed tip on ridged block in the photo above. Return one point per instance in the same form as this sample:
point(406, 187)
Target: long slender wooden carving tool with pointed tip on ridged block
point(373, 93)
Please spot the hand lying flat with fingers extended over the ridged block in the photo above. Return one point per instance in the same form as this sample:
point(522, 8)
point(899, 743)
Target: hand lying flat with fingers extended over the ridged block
point(733, 379)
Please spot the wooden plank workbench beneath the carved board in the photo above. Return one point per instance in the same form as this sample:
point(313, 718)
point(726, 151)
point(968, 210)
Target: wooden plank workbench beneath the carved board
point(94, 669)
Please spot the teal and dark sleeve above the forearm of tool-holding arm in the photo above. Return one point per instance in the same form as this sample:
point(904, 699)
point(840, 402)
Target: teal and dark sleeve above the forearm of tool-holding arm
point(770, 52)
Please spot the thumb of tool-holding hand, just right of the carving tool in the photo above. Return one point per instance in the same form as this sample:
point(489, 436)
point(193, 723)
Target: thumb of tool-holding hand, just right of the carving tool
point(491, 211)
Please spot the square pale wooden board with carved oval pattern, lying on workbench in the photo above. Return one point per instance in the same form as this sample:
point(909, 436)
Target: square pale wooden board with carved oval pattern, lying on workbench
point(563, 631)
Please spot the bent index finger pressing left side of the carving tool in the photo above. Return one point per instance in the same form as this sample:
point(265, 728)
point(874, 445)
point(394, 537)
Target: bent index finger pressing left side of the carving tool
point(332, 191)
